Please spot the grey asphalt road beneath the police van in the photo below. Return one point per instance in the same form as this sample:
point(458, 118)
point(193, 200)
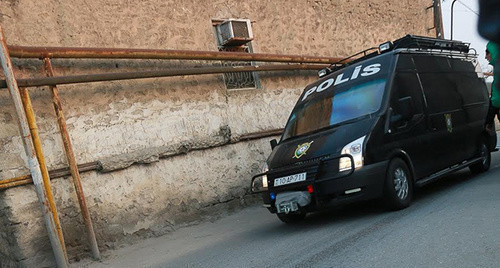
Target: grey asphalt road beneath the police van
point(454, 222)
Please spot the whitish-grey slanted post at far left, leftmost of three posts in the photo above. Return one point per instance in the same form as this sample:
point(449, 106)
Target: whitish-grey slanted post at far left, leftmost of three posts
point(28, 147)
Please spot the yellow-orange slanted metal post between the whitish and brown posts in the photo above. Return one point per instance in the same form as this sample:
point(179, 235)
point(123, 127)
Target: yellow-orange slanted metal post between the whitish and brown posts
point(28, 108)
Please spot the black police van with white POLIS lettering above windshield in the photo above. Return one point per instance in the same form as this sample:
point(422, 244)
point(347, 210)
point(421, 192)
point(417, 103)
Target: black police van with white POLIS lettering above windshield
point(395, 117)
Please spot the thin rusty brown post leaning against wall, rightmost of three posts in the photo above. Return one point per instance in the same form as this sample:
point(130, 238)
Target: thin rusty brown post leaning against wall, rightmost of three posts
point(72, 162)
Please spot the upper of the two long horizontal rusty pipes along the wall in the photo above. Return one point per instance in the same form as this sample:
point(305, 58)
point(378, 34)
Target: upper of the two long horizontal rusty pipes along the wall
point(130, 53)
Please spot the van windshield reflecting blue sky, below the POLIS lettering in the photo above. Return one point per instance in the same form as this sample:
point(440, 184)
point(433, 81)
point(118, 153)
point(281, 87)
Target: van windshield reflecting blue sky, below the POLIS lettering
point(343, 104)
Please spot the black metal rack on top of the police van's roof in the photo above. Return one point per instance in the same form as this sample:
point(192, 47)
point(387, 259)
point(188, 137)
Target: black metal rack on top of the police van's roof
point(422, 42)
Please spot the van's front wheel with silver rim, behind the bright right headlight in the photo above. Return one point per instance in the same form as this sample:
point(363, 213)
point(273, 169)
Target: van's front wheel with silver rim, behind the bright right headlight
point(398, 188)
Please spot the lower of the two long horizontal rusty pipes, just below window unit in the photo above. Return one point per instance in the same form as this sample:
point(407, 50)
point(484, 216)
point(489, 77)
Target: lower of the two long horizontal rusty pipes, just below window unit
point(88, 78)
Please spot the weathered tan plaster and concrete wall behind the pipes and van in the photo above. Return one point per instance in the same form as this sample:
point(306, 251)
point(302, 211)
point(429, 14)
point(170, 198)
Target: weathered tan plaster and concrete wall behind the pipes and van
point(146, 121)
